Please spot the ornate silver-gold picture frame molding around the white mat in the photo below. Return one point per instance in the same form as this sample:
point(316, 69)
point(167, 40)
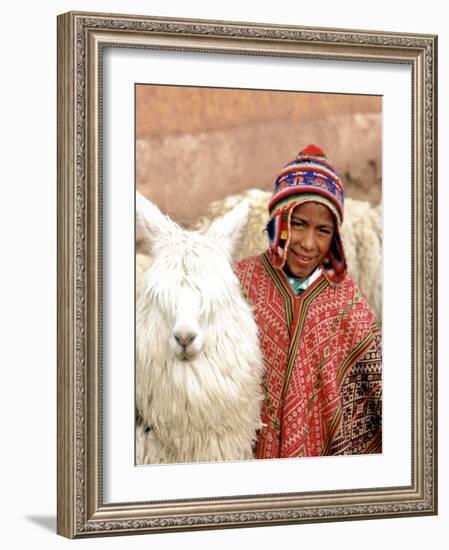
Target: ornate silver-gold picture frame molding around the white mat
point(81, 39)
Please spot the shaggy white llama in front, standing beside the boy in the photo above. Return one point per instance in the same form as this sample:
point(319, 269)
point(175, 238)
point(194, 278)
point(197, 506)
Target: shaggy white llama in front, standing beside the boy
point(199, 367)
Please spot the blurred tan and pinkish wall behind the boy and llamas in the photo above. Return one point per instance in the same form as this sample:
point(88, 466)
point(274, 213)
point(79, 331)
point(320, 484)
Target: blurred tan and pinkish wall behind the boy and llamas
point(197, 145)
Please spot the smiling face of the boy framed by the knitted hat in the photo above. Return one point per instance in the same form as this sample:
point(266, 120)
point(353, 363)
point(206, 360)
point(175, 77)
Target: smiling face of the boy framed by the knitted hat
point(311, 233)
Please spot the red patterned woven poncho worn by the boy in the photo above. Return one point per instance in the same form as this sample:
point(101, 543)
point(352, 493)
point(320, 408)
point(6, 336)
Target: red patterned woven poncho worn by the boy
point(322, 355)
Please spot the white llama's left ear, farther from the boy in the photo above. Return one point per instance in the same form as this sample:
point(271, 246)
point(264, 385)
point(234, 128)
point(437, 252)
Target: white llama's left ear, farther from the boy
point(154, 224)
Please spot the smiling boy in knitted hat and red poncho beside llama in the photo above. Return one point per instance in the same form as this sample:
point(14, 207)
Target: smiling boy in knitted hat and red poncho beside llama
point(319, 337)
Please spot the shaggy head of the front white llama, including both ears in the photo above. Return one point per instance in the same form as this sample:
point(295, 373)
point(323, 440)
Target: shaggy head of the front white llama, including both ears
point(190, 281)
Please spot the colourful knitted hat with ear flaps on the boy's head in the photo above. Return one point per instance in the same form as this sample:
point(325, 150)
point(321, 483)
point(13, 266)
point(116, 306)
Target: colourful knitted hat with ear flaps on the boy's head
point(308, 178)
